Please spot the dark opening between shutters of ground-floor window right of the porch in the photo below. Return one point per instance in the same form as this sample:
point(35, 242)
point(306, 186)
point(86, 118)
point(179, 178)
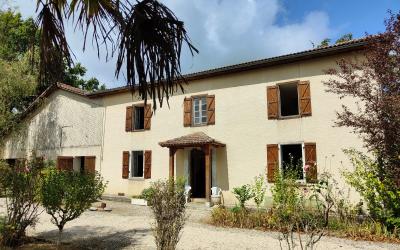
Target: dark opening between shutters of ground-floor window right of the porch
point(292, 159)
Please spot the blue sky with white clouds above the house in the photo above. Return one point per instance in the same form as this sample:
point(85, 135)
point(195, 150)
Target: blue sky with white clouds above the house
point(233, 31)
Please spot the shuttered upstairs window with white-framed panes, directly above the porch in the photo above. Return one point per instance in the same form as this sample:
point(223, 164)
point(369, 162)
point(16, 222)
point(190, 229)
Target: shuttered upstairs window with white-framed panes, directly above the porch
point(199, 110)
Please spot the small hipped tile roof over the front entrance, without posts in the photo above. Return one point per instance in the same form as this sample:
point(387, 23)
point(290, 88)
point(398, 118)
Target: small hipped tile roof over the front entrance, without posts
point(191, 140)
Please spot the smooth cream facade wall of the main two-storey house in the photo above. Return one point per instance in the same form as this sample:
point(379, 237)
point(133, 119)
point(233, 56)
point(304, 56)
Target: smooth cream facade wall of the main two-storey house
point(241, 123)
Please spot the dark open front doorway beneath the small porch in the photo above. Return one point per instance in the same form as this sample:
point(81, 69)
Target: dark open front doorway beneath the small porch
point(198, 173)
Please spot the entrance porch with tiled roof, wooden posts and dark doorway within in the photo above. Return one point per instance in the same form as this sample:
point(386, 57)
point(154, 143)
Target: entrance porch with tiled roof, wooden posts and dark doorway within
point(199, 152)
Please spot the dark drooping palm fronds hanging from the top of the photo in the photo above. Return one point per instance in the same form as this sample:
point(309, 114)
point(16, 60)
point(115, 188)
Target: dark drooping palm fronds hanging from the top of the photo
point(145, 36)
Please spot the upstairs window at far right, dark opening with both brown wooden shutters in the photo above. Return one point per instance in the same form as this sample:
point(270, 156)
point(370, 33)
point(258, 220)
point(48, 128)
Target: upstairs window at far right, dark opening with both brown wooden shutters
point(291, 99)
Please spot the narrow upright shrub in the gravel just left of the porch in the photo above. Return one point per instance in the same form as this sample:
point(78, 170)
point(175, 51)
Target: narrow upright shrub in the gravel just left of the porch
point(168, 206)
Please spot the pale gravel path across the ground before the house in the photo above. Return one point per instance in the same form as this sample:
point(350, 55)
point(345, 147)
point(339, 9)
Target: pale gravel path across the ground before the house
point(128, 227)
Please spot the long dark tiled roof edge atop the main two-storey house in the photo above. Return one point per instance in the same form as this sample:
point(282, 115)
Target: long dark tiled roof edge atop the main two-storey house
point(356, 44)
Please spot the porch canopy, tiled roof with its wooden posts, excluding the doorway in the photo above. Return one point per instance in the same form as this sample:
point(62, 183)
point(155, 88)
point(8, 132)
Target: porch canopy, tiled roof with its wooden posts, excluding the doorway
point(198, 139)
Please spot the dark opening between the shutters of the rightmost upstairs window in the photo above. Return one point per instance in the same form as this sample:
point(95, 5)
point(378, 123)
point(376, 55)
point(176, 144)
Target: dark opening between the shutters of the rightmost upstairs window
point(289, 99)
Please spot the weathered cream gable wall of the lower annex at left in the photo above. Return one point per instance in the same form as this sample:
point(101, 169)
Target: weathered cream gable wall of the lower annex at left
point(79, 119)
